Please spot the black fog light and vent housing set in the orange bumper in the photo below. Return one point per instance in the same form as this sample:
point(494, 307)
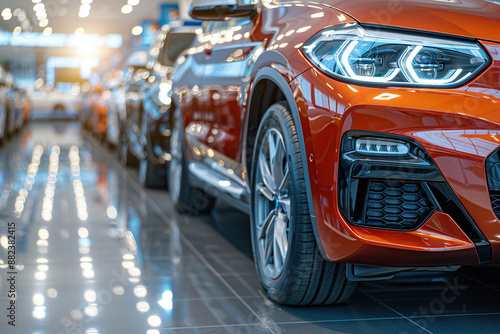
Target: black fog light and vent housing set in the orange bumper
point(382, 181)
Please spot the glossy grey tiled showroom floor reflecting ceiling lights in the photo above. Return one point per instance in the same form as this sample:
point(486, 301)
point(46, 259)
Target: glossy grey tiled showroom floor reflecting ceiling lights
point(96, 253)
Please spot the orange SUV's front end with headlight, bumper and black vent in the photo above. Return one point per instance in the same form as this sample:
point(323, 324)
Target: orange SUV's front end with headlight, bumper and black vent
point(404, 135)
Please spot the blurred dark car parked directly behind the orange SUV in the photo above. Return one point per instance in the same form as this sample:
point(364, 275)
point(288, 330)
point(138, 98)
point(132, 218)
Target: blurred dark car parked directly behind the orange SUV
point(148, 99)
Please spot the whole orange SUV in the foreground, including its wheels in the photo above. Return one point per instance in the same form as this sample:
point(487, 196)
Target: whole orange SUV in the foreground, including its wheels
point(359, 149)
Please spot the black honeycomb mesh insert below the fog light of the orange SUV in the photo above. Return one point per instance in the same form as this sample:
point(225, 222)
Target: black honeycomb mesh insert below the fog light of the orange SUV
point(396, 205)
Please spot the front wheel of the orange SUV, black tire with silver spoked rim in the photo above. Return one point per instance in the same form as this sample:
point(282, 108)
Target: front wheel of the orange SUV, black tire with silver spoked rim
point(295, 273)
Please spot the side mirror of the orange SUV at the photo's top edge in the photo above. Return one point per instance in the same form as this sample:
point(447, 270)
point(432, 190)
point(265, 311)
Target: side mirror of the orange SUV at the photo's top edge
point(220, 10)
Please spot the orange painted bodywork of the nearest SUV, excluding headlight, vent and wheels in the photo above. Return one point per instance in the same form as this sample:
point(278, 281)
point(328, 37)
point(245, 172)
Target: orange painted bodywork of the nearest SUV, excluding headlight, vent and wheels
point(457, 127)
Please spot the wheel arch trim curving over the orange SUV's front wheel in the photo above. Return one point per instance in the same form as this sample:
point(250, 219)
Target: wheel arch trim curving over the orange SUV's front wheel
point(276, 89)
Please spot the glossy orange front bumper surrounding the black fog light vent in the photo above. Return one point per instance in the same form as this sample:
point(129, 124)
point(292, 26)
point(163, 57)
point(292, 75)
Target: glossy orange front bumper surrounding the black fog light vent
point(458, 129)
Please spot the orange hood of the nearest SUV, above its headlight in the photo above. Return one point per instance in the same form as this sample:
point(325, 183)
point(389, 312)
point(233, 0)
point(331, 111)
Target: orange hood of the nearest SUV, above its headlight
point(469, 18)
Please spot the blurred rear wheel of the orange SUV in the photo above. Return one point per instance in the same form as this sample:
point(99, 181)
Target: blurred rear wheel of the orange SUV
point(186, 199)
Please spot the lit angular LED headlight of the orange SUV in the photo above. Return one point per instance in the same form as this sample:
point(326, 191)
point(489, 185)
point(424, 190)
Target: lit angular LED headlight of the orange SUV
point(389, 58)
